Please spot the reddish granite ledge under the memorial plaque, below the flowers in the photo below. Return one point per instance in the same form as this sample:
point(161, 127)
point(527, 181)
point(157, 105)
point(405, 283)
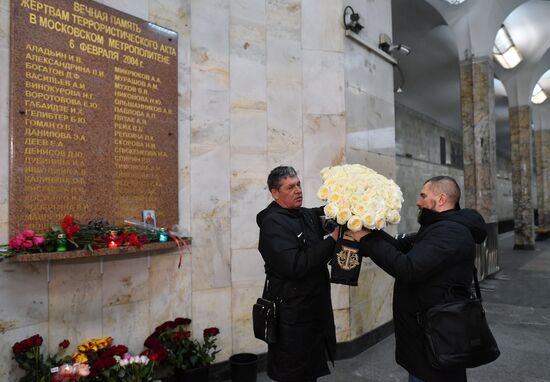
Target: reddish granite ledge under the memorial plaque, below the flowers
point(84, 253)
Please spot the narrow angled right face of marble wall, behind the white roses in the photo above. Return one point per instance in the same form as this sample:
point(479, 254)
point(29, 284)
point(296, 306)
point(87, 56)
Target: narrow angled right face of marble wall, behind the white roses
point(370, 139)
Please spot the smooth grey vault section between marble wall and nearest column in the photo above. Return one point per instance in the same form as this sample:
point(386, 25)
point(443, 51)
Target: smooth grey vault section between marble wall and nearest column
point(431, 72)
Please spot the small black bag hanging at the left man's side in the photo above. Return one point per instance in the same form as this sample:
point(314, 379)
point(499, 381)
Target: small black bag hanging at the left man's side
point(264, 318)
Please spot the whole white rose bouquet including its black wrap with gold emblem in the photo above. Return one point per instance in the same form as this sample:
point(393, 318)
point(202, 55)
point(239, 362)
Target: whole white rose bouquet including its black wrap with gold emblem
point(357, 197)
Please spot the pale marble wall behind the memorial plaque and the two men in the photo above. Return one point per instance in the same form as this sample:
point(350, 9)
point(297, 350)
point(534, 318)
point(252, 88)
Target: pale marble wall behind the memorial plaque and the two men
point(260, 83)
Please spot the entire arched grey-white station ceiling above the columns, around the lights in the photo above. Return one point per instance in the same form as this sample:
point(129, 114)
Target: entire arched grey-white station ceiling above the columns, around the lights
point(431, 71)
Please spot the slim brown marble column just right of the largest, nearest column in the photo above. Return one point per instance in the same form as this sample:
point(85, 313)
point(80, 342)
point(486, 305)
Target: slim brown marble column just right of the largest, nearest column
point(520, 136)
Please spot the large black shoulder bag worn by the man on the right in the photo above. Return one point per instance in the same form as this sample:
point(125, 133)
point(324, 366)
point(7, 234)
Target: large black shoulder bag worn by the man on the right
point(456, 333)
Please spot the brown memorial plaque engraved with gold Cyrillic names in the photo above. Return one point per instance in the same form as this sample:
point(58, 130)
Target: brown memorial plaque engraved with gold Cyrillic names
point(93, 115)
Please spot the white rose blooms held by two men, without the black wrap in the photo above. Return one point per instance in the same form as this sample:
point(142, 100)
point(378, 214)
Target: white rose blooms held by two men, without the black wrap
point(358, 197)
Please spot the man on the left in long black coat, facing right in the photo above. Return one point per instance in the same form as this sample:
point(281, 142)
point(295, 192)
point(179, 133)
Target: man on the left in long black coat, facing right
point(296, 255)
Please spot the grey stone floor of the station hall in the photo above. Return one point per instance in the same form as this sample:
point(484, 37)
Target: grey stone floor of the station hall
point(517, 300)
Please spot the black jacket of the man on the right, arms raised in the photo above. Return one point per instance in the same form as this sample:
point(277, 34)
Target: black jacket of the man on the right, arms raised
point(440, 255)
